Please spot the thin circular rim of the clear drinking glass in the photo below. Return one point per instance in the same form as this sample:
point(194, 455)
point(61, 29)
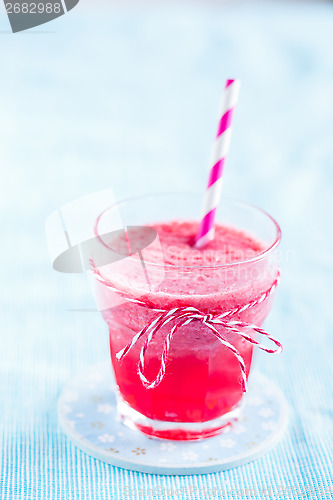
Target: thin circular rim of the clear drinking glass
point(256, 258)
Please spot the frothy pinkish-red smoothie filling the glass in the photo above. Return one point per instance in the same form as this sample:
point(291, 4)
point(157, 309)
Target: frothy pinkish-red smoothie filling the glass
point(203, 379)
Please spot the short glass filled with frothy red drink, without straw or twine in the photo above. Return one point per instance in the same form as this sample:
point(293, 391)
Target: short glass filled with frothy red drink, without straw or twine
point(201, 391)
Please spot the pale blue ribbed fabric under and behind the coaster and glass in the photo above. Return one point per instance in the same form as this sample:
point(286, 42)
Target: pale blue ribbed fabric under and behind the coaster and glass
point(127, 98)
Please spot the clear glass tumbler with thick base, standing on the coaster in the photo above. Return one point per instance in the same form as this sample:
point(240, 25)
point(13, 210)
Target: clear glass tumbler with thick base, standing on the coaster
point(202, 388)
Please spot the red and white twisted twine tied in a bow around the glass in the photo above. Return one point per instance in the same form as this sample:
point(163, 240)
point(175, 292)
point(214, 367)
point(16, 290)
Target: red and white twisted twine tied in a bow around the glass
point(186, 315)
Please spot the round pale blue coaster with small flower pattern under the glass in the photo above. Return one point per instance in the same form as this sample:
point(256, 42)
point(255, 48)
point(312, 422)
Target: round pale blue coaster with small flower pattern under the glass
point(88, 415)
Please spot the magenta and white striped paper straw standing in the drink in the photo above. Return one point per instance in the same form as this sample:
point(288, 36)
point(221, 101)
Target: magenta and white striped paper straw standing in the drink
point(220, 150)
